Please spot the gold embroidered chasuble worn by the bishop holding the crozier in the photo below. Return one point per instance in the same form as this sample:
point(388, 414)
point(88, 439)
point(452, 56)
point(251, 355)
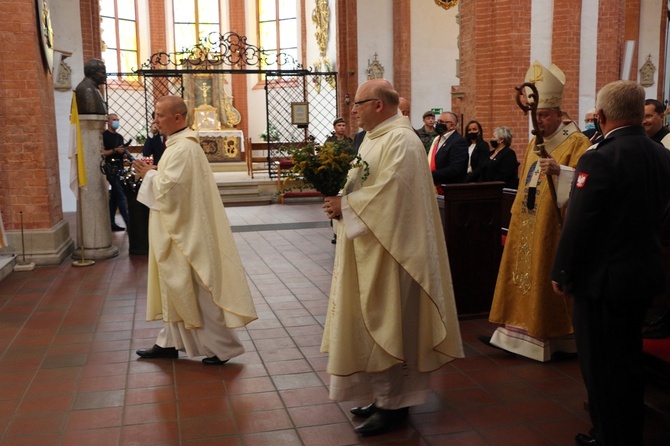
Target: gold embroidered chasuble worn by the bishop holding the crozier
point(523, 296)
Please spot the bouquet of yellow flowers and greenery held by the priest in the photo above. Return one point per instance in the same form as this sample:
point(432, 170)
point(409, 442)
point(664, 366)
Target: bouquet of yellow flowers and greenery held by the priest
point(323, 167)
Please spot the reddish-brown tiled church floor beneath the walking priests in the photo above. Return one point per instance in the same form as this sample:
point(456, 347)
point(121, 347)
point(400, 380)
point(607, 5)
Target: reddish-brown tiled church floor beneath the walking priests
point(69, 374)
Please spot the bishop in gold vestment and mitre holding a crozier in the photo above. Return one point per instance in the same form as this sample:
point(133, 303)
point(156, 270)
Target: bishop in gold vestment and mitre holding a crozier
point(538, 323)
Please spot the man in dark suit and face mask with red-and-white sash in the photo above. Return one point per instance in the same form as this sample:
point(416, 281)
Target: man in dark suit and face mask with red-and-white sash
point(448, 155)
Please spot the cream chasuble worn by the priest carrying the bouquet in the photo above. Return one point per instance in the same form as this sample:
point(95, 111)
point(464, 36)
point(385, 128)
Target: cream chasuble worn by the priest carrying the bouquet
point(403, 234)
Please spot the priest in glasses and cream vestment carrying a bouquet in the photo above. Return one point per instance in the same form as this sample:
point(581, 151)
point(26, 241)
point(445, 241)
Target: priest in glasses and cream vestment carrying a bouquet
point(391, 317)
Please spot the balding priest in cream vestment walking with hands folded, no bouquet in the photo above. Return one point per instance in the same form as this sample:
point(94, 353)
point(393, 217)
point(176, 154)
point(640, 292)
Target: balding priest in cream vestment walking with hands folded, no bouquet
point(196, 282)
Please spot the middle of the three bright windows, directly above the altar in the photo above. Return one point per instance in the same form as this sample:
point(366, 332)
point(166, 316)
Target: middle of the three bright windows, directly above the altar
point(193, 20)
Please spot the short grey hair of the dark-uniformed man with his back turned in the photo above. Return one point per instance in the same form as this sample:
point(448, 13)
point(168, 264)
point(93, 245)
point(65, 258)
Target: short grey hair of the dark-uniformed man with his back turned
point(622, 101)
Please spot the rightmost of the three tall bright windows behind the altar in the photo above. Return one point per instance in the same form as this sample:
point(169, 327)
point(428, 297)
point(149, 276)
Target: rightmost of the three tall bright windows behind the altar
point(278, 29)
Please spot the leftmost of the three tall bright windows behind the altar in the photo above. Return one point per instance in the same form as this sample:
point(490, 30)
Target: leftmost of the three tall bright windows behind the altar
point(119, 35)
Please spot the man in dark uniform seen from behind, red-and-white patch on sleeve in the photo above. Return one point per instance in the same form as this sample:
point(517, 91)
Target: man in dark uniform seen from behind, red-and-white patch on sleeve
point(609, 259)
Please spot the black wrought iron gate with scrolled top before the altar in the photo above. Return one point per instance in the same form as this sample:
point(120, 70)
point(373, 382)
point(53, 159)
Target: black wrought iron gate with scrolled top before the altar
point(133, 95)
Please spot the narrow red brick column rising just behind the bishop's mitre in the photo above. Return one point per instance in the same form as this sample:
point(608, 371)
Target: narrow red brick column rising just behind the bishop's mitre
point(565, 51)
